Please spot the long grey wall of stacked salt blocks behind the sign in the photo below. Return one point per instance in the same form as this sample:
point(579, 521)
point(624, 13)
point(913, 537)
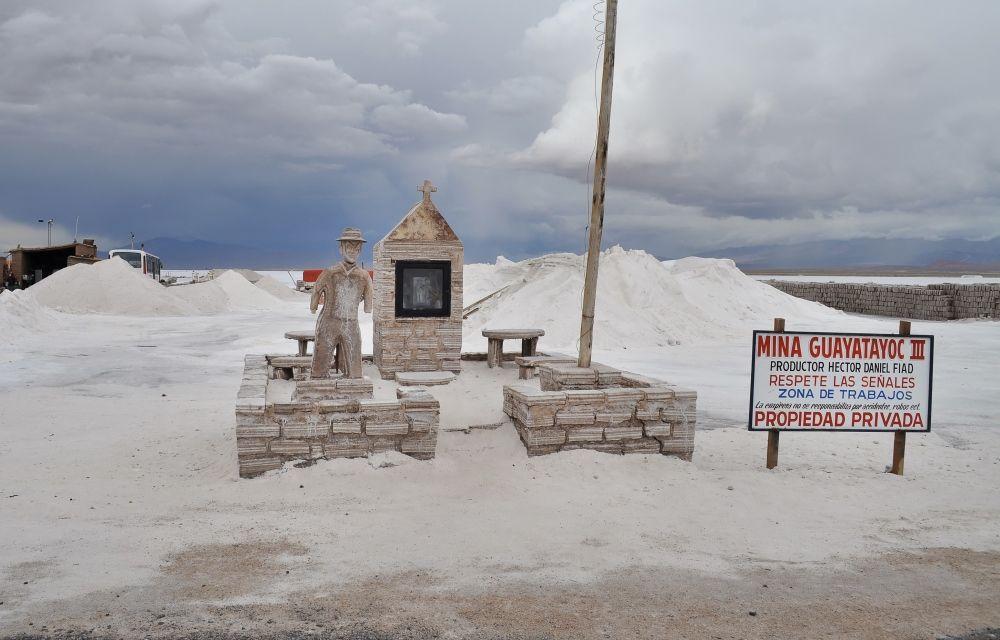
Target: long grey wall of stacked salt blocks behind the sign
point(931, 302)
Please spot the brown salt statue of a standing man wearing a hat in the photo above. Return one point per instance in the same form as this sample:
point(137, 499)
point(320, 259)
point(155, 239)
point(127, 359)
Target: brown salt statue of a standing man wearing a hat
point(341, 288)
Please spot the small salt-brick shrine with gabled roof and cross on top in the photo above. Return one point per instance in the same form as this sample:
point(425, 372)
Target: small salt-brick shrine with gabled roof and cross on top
point(417, 309)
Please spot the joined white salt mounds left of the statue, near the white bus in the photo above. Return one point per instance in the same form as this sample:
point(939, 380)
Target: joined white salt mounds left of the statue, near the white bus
point(113, 287)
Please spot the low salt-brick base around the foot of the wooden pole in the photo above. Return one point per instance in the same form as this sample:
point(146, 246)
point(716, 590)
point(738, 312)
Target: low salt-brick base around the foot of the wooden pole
point(603, 409)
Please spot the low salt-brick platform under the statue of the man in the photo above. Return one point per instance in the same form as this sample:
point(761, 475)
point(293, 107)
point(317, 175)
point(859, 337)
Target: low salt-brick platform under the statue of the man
point(329, 418)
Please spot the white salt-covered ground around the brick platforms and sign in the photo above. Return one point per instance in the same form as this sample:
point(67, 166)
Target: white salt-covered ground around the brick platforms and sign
point(118, 450)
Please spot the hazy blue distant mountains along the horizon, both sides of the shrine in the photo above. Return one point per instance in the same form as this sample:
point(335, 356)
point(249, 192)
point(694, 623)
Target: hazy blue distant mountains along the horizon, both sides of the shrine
point(867, 255)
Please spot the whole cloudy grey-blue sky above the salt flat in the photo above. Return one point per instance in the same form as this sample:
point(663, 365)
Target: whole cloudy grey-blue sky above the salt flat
point(275, 124)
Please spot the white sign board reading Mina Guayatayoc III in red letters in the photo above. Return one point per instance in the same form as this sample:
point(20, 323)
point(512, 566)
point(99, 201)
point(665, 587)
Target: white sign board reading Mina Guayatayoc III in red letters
point(840, 382)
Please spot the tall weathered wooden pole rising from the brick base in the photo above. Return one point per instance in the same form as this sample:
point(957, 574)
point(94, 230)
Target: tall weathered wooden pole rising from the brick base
point(597, 196)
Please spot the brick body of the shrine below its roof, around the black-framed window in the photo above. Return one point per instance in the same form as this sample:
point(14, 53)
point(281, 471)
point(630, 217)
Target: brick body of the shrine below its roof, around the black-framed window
point(415, 344)
